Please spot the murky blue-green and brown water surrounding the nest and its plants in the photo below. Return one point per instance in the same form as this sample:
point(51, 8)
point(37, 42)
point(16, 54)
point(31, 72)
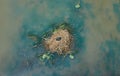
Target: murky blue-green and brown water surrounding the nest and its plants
point(96, 28)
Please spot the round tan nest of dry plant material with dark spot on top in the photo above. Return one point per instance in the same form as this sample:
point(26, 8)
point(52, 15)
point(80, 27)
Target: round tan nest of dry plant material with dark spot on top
point(60, 42)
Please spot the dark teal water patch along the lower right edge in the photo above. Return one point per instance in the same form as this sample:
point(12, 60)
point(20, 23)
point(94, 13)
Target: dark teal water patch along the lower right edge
point(111, 58)
